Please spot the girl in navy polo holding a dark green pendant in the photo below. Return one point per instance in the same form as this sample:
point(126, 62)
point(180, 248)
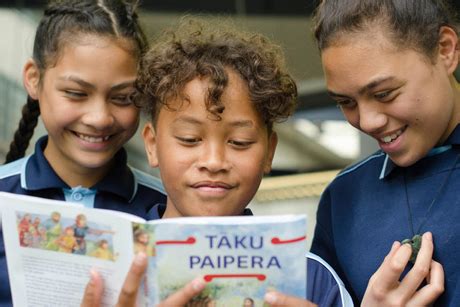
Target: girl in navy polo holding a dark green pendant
point(390, 64)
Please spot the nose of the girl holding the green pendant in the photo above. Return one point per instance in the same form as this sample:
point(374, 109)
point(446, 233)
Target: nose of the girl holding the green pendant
point(371, 117)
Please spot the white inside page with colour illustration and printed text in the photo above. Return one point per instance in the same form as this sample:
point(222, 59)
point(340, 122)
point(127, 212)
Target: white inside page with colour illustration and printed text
point(51, 246)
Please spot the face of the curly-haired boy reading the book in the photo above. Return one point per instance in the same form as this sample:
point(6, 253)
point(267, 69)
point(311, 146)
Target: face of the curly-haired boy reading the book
point(209, 167)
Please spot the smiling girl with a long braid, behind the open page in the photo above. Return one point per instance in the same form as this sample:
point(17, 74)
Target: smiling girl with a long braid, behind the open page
point(80, 80)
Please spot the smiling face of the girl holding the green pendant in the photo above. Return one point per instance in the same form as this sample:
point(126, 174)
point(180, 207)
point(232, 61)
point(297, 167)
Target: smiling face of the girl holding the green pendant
point(396, 96)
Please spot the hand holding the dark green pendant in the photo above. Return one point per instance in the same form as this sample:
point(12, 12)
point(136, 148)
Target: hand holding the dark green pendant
point(385, 289)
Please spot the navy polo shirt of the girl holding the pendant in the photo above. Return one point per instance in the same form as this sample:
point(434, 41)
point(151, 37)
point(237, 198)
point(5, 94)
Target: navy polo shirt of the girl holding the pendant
point(365, 209)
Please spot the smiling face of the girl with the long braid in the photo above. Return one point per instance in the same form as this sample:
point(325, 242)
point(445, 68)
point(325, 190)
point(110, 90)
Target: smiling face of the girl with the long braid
point(83, 104)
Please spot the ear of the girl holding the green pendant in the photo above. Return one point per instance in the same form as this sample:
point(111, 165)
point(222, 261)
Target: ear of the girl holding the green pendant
point(449, 48)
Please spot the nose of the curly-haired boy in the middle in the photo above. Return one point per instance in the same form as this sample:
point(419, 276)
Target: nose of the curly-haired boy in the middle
point(214, 158)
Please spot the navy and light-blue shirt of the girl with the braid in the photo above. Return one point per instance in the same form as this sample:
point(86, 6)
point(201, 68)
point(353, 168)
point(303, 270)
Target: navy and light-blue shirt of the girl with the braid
point(123, 189)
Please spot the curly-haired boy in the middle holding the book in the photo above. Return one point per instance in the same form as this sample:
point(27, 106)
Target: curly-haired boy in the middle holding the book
point(212, 95)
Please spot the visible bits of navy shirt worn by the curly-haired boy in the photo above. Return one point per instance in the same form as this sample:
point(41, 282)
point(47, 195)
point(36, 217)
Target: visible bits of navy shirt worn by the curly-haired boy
point(324, 286)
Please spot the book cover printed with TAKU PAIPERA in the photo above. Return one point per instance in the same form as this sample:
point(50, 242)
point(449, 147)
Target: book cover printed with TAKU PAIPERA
point(239, 257)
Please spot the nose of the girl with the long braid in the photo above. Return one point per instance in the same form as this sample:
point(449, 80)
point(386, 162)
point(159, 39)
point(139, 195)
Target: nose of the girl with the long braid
point(98, 115)
